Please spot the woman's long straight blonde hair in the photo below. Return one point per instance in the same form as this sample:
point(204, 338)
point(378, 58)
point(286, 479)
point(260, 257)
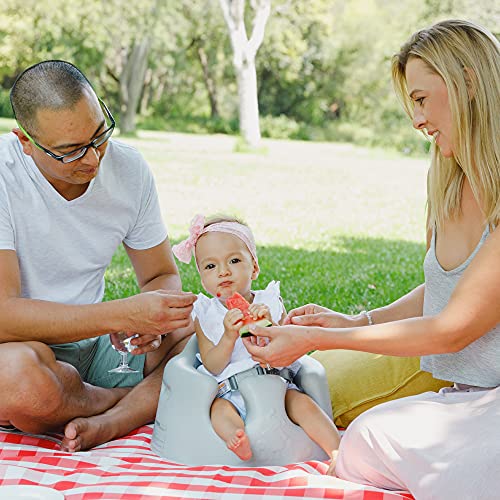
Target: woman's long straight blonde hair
point(467, 57)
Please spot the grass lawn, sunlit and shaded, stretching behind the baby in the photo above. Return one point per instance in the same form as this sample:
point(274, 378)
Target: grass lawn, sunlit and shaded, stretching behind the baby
point(338, 225)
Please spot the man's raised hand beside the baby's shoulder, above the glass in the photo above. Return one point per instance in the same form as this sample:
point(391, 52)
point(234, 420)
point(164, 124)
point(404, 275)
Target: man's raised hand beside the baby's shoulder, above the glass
point(158, 312)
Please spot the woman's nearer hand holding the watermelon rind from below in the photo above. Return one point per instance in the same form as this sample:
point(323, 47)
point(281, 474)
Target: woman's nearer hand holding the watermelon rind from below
point(285, 345)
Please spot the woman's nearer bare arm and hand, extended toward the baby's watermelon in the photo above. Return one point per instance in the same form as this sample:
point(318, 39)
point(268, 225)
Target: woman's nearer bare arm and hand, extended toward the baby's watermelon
point(471, 312)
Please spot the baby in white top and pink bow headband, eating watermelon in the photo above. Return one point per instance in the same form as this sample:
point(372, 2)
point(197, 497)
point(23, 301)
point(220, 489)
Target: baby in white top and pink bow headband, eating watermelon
point(226, 259)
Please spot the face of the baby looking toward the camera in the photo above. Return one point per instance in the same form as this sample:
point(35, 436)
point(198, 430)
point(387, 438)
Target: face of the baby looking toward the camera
point(226, 265)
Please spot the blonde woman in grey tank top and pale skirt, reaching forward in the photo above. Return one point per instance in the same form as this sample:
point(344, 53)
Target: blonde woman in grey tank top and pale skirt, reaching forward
point(442, 445)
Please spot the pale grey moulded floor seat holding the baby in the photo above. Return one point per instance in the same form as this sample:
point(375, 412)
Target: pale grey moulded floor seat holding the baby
point(183, 432)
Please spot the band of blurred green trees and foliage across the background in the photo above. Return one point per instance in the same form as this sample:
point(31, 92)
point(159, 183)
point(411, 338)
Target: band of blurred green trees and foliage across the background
point(322, 69)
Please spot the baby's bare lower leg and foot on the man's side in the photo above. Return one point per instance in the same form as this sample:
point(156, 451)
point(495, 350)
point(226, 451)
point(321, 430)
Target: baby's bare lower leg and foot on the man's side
point(229, 426)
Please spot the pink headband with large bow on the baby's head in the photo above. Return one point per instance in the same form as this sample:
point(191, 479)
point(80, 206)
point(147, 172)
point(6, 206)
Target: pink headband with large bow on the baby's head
point(185, 249)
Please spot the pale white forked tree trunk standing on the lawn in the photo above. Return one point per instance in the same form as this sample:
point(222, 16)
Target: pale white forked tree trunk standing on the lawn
point(244, 52)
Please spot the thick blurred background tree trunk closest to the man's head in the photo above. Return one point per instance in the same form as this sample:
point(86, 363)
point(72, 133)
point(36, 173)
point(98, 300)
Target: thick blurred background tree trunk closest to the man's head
point(131, 84)
